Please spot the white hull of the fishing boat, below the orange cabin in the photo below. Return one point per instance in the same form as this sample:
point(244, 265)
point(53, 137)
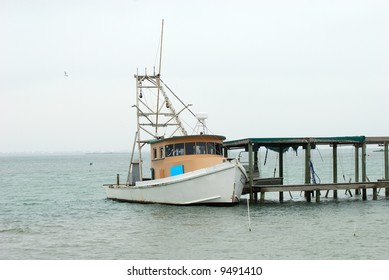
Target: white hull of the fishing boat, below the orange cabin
point(219, 184)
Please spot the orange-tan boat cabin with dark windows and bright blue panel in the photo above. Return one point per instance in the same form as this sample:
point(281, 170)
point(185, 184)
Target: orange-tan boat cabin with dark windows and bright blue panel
point(183, 154)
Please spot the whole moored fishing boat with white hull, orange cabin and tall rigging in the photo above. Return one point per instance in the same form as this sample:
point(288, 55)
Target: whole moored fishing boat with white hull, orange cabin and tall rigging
point(185, 169)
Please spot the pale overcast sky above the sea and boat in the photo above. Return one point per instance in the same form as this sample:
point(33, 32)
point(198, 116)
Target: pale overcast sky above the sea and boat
point(258, 68)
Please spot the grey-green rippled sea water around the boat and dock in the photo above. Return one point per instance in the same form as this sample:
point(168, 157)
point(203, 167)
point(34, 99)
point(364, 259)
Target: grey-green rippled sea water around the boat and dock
point(53, 207)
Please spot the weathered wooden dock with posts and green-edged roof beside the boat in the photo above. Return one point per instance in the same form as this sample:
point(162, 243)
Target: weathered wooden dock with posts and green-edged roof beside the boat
point(361, 184)
